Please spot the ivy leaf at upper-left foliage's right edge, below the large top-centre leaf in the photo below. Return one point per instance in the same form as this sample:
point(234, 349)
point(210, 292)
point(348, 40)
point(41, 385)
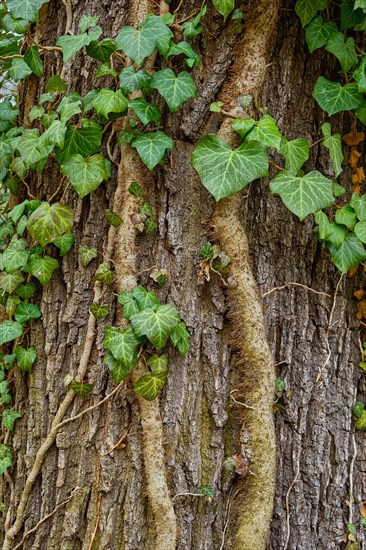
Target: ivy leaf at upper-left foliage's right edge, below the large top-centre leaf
point(174, 89)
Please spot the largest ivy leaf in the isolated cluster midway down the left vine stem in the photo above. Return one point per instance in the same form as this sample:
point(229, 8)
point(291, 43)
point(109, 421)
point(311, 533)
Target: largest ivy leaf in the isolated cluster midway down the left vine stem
point(156, 325)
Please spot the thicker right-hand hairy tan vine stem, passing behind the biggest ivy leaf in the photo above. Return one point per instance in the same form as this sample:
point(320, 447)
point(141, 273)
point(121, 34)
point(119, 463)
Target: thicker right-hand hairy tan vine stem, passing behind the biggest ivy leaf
point(256, 501)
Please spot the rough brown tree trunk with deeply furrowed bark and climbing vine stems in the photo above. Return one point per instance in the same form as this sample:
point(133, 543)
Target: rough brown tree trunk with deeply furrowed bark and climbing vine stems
point(212, 425)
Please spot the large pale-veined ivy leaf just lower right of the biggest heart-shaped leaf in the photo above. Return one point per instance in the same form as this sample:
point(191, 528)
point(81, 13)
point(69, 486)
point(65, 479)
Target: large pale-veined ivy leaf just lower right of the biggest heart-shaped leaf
point(303, 195)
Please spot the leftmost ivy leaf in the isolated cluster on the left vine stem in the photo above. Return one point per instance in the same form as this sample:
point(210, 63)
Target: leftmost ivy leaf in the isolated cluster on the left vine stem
point(122, 344)
